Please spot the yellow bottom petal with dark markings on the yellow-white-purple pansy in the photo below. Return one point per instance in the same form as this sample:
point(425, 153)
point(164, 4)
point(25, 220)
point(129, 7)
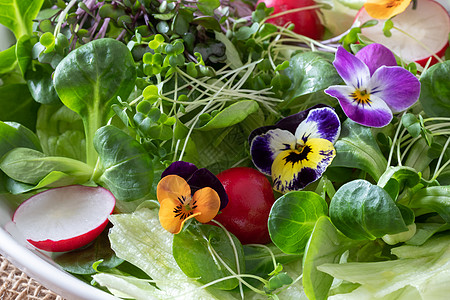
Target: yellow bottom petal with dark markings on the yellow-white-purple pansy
point(293, 169)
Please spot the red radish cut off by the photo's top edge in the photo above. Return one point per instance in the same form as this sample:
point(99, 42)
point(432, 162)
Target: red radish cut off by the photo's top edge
point(307, 22)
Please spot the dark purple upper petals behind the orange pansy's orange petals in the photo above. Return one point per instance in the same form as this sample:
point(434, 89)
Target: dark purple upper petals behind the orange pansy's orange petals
point(197, 179)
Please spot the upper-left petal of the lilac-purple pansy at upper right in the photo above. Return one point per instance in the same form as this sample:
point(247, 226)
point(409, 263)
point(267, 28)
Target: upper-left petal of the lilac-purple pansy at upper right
point(353, 71)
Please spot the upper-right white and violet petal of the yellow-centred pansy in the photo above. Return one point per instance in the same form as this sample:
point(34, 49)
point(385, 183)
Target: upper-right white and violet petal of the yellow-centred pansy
point(321, 123)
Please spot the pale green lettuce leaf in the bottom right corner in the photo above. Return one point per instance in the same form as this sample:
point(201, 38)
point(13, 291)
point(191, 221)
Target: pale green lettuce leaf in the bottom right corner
point(421, 272)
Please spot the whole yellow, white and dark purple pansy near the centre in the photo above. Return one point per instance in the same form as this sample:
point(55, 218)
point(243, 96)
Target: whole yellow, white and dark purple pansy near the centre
point(298, 149)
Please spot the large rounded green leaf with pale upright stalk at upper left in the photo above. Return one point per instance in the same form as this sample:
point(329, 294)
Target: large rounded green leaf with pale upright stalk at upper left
point(90, 78)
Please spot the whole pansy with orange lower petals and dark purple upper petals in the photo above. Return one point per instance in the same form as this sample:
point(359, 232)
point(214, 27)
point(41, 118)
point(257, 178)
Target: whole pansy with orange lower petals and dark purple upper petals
point(186, 192)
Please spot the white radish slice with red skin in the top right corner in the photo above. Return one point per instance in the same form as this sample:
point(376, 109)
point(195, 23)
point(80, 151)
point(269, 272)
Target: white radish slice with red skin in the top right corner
point(429, 24)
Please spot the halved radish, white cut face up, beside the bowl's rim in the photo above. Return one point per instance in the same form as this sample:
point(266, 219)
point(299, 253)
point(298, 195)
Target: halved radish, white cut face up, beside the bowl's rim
point(65, 218)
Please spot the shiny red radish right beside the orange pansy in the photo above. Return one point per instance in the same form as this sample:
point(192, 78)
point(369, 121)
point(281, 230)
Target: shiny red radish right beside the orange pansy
point(250, 198)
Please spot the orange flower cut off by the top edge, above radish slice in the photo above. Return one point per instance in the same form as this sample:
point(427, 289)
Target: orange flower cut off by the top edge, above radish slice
point(385, 9)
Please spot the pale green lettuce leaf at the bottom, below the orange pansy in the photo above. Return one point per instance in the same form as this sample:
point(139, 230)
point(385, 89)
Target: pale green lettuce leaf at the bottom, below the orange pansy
point(139, 239)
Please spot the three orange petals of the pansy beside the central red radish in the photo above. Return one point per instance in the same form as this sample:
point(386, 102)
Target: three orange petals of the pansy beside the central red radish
point(178, 205)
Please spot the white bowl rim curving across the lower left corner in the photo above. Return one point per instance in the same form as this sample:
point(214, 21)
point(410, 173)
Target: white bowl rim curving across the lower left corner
point(39, 265)
